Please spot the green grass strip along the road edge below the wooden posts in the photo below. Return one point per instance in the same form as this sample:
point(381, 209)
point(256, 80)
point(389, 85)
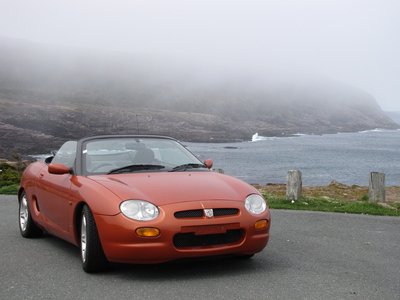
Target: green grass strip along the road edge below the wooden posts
point(333, 205)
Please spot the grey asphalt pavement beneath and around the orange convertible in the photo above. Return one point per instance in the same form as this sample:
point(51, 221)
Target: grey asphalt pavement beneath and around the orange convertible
point(310, 256)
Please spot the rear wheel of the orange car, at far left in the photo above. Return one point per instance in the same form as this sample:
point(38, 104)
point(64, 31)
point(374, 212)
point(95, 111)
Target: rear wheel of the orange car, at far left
point(27, 227)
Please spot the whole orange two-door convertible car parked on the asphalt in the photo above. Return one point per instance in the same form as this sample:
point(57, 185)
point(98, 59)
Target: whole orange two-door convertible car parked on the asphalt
point(140, 199)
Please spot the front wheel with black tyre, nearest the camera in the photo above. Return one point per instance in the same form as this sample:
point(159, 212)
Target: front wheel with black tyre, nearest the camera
point(93, 258)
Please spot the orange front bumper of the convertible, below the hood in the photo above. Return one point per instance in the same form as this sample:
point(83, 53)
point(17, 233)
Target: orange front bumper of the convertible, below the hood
point(223, 235)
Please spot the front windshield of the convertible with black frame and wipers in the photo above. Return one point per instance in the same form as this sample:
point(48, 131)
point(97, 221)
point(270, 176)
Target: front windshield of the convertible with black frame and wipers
point(136, 154)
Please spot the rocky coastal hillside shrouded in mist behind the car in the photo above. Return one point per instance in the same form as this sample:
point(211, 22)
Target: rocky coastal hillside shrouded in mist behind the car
point(49, 95)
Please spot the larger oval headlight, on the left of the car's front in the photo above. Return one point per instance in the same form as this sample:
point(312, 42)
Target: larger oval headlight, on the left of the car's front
point(139, 210)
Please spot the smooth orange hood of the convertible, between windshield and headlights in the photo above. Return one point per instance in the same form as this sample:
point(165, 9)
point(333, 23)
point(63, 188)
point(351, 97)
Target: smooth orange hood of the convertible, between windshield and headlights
point(166, 188)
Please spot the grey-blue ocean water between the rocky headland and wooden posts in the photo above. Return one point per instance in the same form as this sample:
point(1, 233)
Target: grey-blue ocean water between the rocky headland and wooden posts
point(345, 157)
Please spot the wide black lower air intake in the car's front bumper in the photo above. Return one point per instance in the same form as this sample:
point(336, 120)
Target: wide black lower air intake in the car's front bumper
point(185, 240)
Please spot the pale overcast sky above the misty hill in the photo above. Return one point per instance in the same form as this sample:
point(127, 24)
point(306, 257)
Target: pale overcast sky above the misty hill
point(354, 41)
